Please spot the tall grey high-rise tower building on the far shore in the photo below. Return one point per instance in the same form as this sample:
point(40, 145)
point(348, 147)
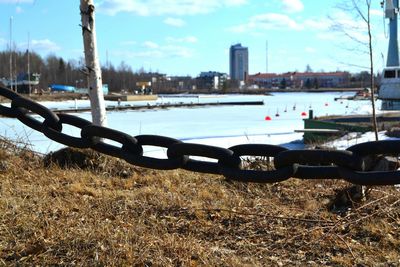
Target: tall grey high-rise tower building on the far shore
point(238, 62)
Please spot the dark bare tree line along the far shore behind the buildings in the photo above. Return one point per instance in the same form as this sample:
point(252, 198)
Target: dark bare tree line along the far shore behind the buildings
point(56, 70)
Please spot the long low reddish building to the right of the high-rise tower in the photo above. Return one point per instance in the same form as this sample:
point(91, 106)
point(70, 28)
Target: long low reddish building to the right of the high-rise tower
point(301, 80)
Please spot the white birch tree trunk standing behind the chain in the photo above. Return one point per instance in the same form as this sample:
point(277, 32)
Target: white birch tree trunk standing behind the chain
point(93, 69)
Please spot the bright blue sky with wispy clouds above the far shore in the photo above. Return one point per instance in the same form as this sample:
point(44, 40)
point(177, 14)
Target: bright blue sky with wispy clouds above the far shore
point(185, 37)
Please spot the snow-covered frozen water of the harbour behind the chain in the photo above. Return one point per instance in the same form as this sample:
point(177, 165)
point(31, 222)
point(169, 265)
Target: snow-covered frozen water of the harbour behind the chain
point(223, 126)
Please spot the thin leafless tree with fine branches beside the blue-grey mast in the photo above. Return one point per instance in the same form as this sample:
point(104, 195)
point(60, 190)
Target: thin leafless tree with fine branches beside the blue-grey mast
point(361, 11)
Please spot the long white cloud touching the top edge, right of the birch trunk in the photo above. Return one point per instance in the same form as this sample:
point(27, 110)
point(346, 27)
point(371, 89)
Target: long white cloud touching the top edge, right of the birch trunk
point(158, 7)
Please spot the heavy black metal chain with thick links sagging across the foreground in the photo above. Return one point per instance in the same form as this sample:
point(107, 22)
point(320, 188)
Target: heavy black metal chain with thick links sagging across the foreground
point(349, 164)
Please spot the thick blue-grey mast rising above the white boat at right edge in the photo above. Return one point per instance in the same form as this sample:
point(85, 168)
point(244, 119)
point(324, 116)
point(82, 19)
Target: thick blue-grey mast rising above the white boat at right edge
point(391, 12)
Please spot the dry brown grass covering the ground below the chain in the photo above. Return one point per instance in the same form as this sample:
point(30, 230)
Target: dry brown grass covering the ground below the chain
point(69, 216)
